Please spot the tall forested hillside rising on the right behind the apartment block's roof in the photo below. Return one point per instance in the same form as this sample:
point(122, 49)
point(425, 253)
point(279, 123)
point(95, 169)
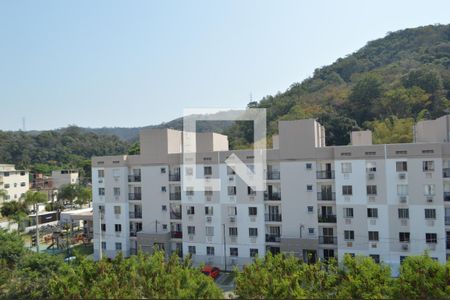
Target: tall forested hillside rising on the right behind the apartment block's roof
point(386, 86)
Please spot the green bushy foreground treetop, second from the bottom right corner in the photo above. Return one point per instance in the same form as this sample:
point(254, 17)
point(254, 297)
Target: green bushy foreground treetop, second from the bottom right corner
point(362, 278)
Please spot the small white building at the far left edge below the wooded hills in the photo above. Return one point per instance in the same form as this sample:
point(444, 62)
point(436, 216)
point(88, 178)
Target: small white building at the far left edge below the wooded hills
point(14, 182)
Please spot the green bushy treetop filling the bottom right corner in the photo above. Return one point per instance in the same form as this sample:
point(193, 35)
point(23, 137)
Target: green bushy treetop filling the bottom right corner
point(421, 277)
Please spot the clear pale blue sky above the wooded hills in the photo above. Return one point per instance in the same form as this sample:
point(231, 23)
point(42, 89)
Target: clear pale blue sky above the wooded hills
point(136, 63)
